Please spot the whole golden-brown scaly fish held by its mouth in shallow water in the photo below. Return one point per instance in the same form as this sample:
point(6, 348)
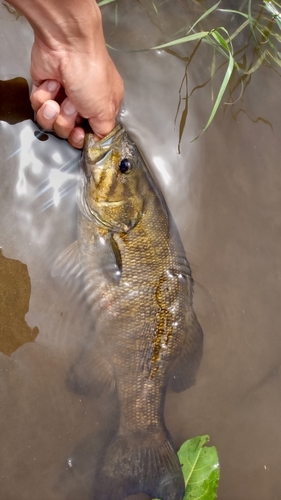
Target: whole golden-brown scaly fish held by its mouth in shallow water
point(146, 336)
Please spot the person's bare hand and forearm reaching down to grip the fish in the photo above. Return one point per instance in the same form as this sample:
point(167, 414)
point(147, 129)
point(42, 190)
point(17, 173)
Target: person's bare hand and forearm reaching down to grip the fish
point(69, 53)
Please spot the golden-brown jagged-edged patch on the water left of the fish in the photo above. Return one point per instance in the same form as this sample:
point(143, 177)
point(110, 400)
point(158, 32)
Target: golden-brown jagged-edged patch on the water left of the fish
point(15, 290)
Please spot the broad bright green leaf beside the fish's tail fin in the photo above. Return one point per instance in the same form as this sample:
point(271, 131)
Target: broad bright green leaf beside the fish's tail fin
point(200, 467)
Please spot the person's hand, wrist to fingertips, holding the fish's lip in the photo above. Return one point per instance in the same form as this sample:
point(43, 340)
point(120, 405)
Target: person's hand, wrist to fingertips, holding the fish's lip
point(93, 87)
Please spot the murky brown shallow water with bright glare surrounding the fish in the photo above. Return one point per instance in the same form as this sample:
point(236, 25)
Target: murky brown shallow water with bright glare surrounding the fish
point(224, 193)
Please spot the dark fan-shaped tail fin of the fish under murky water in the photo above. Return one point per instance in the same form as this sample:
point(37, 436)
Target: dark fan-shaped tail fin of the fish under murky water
point(137, 463)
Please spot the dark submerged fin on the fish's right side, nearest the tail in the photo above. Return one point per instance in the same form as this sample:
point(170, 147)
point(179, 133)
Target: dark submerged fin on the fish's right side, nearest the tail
point(184, 371)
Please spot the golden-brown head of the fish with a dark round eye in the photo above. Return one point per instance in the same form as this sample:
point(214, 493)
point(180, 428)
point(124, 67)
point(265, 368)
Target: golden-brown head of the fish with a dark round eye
point(116, 183)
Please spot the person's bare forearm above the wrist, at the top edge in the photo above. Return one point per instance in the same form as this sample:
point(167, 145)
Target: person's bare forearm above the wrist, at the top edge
point(68, 24)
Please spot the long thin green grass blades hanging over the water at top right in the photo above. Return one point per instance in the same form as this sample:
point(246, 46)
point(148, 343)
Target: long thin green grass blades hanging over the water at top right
point(266, 43)
